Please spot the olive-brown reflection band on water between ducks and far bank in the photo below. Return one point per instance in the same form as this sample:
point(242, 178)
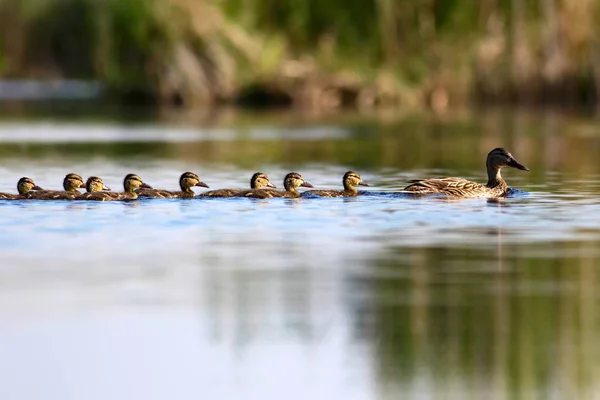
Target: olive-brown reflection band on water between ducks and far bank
point(456, 143)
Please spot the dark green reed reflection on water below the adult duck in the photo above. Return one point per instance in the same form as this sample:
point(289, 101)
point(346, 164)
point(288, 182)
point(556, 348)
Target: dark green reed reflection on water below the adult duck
point(497, 322)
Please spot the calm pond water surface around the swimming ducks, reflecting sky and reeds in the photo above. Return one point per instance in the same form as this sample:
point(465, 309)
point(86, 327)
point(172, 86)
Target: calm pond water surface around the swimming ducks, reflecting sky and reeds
point(374, 297)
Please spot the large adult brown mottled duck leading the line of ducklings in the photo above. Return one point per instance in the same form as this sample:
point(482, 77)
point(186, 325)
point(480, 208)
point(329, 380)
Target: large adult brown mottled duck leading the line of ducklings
point(459, 187)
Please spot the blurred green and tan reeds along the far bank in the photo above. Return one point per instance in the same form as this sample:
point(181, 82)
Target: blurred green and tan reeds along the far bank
point(311, 52)
